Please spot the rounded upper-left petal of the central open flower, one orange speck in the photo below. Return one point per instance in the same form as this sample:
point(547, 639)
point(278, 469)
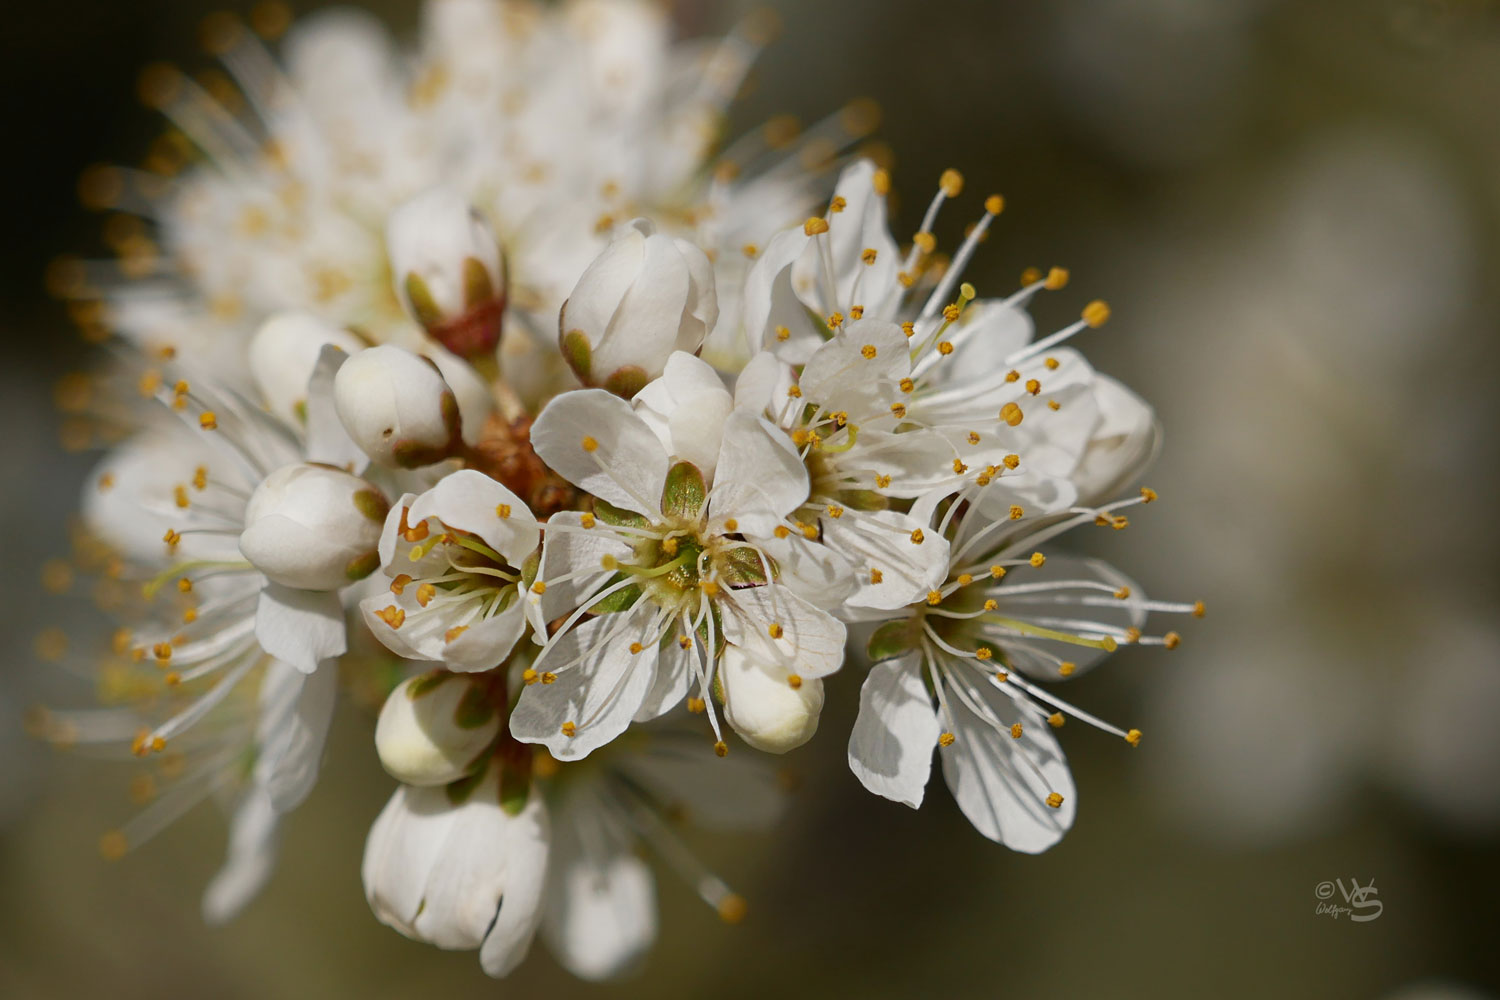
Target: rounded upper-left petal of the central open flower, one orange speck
point(626, 466)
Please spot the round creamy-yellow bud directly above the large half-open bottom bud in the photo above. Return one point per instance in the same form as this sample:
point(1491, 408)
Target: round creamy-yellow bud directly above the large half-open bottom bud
point(433, 728)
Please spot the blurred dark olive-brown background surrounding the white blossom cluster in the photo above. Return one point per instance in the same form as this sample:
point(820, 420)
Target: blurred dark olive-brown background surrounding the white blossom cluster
point(1292, 208)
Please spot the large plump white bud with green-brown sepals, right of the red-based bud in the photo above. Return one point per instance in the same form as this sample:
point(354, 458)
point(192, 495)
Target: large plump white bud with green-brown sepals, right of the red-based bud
point(644, 298)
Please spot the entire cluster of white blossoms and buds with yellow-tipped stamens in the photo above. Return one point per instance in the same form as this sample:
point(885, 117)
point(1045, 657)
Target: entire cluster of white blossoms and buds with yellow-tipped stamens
point(769, 454)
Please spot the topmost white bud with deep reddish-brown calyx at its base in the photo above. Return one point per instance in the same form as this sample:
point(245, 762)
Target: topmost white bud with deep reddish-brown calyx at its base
point(449, 272)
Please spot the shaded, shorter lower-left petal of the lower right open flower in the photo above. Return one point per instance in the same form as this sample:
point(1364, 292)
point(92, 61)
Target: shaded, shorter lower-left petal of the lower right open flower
point(892, 744)
